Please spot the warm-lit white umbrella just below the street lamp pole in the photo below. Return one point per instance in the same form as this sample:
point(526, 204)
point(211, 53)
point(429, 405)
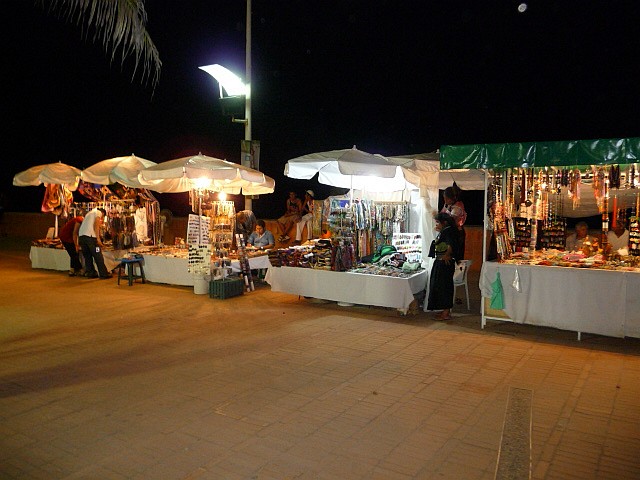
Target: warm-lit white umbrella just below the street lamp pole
point(202, 171)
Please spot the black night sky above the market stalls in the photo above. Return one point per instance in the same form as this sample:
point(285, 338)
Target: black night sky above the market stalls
point(391, 77)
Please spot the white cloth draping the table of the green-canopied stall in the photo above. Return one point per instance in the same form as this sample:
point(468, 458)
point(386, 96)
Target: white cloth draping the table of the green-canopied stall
point(603, 302)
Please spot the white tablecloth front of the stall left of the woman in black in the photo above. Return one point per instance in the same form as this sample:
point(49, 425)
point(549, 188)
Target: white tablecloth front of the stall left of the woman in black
point(355, 288)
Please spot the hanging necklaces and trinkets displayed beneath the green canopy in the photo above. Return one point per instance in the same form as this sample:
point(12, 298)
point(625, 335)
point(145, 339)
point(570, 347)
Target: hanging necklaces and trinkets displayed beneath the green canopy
point(528, 221)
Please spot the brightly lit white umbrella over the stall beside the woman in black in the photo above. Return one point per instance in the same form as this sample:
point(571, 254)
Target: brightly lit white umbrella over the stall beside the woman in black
point(349, 168)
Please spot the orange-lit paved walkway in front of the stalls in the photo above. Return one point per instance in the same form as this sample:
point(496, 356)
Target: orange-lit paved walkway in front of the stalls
point(100, 381)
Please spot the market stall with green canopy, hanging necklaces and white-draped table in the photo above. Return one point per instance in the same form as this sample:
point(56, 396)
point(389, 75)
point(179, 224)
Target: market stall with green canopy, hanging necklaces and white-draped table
point(531, 189)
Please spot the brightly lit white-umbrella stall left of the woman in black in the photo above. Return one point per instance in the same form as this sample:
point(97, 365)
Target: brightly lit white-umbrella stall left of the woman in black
point(377, 211)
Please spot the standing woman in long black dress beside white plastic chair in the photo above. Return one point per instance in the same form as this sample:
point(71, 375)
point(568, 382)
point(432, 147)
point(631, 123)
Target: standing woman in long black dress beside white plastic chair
point(441, 281)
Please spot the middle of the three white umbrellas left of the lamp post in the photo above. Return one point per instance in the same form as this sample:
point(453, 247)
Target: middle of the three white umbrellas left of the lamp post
point(122, 170)
